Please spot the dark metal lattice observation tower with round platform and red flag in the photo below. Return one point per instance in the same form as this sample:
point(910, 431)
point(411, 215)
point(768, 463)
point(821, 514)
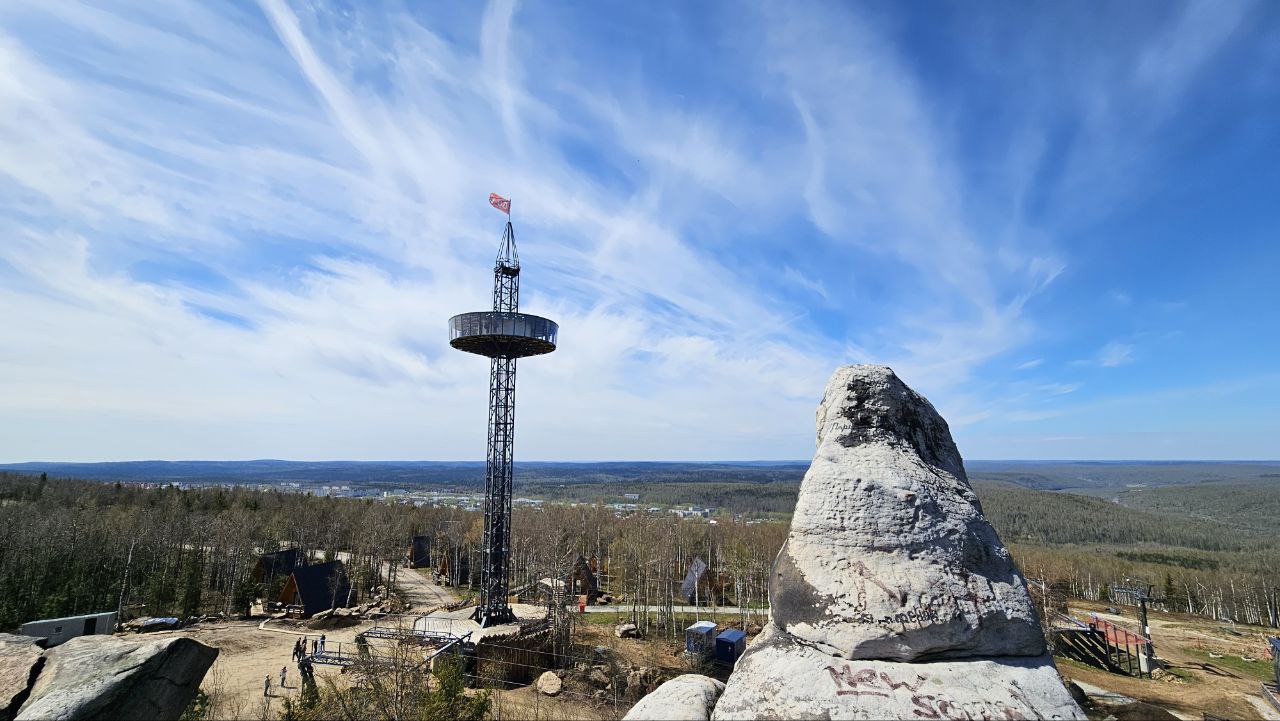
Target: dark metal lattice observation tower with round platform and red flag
point(502, 335)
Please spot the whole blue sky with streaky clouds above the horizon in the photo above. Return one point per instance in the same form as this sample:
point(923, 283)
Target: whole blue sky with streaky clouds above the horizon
point(234, 231)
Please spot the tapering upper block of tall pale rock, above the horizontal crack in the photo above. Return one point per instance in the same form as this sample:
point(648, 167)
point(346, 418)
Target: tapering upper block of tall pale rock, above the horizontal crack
point(889, 555)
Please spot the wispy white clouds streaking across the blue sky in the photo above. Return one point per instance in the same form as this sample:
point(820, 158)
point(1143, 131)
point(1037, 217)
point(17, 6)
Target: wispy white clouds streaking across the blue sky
point(268, 213)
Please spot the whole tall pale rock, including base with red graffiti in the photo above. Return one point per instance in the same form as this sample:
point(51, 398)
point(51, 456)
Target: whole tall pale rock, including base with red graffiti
point(893, 596)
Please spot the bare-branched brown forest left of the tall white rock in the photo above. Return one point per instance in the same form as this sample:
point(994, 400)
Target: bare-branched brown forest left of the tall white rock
point(75, 547)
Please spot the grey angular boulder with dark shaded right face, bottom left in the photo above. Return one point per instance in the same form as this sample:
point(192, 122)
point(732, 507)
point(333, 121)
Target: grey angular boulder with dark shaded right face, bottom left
point(102, 677)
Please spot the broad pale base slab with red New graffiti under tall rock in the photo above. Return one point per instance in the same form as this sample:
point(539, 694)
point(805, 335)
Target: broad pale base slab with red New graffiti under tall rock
point(781, 678)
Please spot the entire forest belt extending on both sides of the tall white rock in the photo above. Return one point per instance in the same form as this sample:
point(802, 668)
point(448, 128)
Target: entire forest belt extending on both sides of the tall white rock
point(74, 546)
